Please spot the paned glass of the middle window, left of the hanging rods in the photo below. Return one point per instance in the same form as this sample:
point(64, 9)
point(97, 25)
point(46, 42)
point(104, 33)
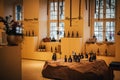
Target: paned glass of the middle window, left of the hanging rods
point(56, 31)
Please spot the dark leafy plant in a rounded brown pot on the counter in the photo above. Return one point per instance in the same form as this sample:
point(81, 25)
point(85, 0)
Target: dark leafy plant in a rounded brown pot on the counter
point(13, 29)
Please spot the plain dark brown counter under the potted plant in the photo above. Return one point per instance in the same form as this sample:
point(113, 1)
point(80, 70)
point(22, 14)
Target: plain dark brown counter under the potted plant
point(10, 63)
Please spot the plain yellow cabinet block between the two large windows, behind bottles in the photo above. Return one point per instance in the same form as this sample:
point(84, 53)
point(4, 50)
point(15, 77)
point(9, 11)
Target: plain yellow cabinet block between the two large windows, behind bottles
point(71, 44)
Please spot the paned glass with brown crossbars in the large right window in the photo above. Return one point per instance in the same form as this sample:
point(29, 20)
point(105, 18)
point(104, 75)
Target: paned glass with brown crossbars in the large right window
point(104, 22)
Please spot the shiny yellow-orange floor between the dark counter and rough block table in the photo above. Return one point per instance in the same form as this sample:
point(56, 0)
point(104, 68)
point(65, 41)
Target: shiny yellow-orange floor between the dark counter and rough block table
point(31, 70)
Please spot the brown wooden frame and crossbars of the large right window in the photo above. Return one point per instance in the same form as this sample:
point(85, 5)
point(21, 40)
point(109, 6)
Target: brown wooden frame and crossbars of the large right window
point(104, 20)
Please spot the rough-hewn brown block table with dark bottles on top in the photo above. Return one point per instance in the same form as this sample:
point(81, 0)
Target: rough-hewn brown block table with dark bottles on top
point(84, 70)
